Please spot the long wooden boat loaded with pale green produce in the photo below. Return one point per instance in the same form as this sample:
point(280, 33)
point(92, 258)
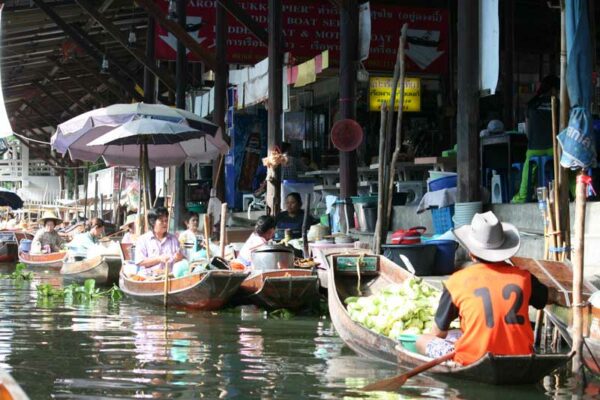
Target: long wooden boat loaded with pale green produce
point(377, 273)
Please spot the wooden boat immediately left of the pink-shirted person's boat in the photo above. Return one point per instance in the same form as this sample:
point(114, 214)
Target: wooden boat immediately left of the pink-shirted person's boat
point(103, 269)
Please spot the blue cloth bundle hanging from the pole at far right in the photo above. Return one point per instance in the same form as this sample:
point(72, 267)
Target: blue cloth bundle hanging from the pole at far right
point(577, 140)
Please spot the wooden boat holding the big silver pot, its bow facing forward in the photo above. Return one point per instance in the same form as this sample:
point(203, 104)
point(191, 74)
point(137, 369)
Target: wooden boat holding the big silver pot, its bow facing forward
point(283, 288)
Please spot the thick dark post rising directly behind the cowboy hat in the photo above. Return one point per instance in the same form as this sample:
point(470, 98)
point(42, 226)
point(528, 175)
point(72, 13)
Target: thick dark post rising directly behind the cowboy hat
point(468, 101)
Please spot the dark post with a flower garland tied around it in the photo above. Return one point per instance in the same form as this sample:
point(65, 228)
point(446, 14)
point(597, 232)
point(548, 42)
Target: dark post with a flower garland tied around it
point(275, 98)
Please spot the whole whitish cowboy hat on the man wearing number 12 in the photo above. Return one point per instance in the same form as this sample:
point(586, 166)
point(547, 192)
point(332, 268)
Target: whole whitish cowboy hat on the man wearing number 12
point(488, 238)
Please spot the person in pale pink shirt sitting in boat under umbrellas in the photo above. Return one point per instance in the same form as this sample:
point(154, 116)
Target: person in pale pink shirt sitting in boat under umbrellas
point(157, 246)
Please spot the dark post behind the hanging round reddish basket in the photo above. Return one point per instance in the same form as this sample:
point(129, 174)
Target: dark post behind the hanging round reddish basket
point(348, 66)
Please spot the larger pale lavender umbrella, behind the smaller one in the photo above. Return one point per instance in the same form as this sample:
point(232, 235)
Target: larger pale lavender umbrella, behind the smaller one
point(72, 136)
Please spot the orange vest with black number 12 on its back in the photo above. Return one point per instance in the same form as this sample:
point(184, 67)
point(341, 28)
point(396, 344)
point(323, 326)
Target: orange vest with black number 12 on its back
point(493, 303)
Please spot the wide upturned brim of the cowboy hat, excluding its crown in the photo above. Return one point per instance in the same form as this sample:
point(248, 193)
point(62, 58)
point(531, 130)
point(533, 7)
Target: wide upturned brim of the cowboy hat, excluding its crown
point(509, 248)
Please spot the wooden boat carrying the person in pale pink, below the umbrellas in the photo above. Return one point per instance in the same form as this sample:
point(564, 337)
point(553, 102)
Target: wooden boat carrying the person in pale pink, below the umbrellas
point(208, 290)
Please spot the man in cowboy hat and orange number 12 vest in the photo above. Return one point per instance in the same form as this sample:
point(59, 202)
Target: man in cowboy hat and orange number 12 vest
point(491, 297)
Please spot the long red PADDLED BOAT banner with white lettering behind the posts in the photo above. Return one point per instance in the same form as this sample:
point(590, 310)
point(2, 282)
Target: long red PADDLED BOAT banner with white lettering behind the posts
point(309, 27)
